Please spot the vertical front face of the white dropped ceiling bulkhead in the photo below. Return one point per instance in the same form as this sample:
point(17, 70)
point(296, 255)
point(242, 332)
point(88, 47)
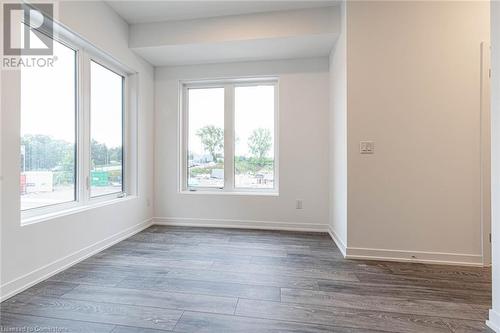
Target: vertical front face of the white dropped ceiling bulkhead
point(285, 24)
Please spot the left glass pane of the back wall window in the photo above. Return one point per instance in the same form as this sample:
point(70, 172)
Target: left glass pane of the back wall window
point(206, 137)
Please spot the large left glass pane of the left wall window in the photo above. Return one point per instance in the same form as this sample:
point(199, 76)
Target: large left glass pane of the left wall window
point(48, 145)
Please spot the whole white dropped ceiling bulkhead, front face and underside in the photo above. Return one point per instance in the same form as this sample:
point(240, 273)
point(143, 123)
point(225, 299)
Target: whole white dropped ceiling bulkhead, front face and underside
point(306, 33)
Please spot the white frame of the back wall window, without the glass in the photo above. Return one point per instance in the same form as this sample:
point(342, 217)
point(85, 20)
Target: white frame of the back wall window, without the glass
point(229, 85)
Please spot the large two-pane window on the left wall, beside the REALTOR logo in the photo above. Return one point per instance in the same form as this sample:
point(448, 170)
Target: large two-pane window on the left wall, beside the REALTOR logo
point(73, 130)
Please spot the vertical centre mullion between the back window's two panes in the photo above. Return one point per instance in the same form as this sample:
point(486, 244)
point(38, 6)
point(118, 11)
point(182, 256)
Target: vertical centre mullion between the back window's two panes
point(229, 138)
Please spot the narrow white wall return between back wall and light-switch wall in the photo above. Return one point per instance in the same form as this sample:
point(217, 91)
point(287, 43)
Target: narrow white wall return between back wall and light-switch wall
point(338, 136)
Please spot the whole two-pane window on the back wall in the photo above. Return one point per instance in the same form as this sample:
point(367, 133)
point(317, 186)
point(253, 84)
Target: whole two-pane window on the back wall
point(229, 136)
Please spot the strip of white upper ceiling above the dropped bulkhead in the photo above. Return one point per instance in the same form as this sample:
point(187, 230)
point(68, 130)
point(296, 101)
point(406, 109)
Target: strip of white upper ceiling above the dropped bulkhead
point(166, 10)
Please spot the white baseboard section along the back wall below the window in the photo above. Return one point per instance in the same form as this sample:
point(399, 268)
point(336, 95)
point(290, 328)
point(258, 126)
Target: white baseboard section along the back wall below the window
point(240, 224)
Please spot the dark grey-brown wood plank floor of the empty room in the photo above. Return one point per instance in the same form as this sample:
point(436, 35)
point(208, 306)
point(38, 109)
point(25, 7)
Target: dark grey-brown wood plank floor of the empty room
point(226, 280)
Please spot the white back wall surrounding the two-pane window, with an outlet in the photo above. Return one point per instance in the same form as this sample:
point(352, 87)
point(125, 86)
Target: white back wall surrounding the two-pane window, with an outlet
point(303, 155)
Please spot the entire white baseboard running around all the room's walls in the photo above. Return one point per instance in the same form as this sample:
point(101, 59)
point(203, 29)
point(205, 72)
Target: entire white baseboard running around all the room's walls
point(22, 283)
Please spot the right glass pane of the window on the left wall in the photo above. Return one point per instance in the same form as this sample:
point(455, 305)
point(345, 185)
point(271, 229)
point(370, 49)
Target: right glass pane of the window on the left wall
point(106, 131)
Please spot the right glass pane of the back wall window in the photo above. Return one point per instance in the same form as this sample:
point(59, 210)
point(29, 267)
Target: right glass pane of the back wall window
point(254, 135)
